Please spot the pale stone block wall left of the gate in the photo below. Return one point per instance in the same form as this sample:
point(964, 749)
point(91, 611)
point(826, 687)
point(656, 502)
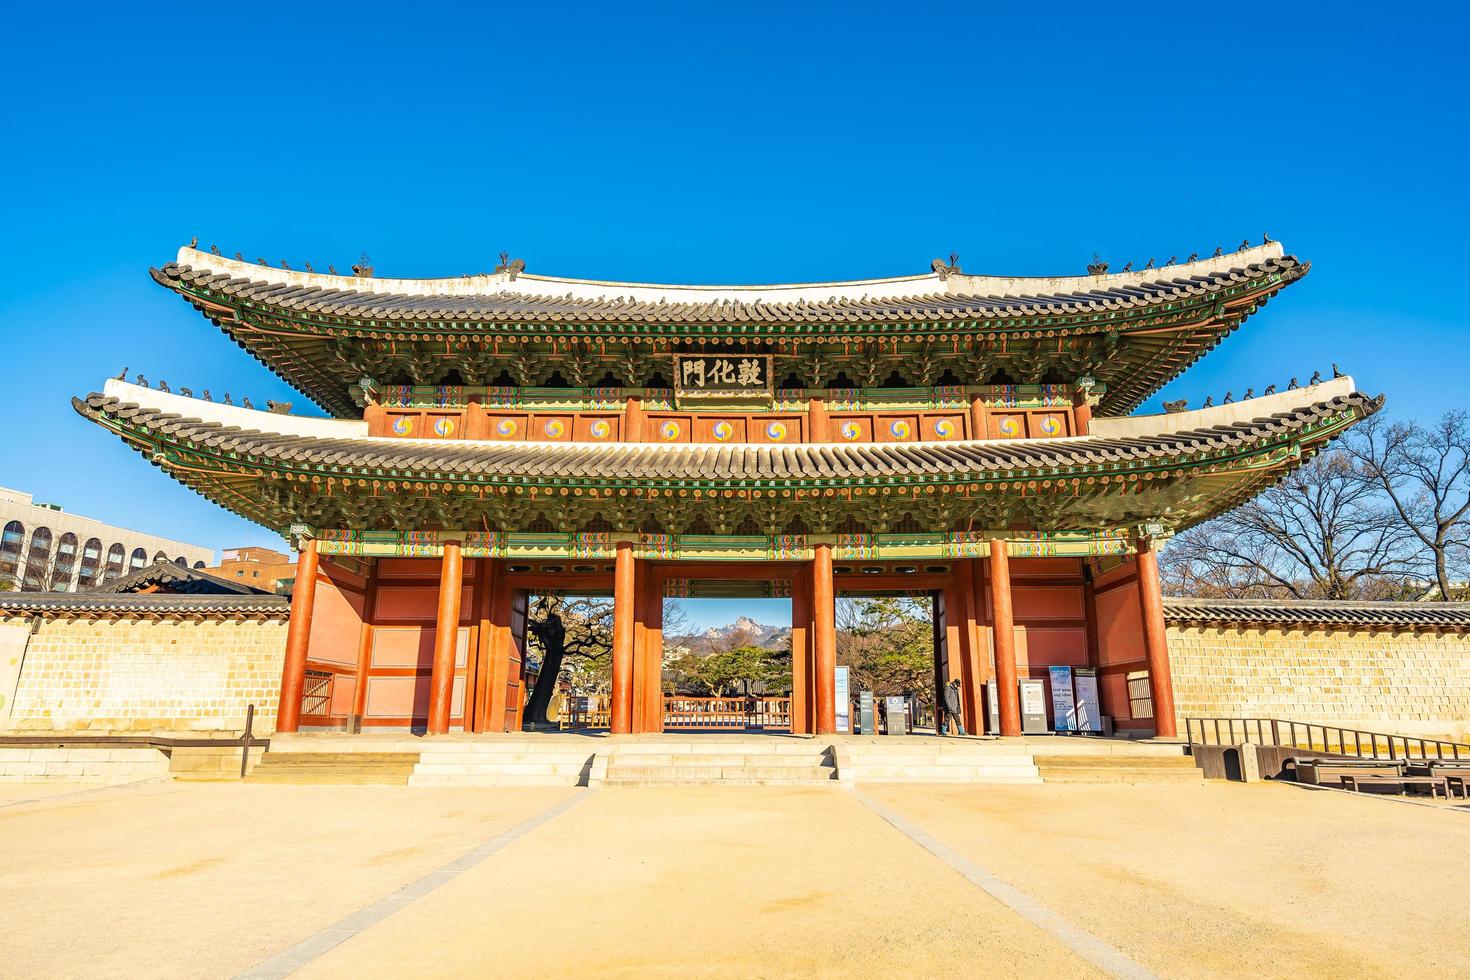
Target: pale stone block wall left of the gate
point(140, 674)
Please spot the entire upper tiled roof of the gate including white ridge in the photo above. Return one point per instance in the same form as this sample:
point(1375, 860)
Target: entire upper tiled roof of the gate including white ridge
point(542, 300)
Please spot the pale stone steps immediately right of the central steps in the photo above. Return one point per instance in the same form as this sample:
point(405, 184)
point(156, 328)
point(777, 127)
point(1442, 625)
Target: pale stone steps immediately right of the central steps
point(931, 760)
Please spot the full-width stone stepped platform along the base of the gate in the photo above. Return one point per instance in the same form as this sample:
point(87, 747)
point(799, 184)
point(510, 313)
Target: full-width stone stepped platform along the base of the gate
point(715, 759)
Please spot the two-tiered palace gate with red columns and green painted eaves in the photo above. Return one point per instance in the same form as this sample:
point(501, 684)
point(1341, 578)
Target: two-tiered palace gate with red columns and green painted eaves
point(501, 436)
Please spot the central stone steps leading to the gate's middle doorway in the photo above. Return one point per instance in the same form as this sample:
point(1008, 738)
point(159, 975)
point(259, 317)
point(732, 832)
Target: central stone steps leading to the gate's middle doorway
point(715, 760)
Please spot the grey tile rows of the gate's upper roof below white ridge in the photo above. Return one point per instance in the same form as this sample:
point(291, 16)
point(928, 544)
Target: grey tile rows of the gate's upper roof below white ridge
point(1171, 284)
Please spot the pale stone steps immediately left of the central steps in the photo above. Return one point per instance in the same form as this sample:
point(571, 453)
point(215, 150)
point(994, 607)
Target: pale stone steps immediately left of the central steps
point(536, 762)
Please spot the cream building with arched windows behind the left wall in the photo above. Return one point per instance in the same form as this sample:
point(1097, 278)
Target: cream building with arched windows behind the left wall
point(43, 549)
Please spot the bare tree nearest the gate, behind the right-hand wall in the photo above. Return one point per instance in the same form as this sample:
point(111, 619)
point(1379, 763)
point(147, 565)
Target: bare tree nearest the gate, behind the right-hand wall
point(1321, 533)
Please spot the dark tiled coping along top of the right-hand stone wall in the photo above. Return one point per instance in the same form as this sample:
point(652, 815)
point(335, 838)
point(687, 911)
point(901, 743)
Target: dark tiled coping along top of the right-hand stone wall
point(1318, 613)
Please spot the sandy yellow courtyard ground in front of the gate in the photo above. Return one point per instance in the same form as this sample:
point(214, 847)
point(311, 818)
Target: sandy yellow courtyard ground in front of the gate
point(217, 881)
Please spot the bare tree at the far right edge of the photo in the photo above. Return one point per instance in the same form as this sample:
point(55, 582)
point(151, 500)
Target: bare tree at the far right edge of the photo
point(1425, 474)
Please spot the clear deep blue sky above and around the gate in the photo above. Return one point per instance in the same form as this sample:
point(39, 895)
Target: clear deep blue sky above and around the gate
point(681, 143)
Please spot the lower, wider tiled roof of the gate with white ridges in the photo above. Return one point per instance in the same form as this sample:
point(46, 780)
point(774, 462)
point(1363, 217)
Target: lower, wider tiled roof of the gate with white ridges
point(637, 462)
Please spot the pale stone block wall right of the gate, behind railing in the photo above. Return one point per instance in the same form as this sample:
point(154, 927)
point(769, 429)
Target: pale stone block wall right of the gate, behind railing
point(1396, 681)
